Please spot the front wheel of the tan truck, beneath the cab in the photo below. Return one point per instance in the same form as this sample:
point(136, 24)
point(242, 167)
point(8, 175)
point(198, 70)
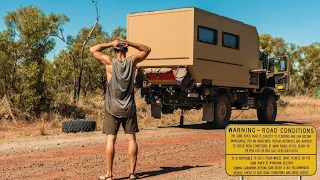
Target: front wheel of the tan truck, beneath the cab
point(268, 113)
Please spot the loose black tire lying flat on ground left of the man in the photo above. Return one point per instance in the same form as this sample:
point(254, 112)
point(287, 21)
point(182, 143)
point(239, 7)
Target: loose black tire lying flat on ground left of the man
point(78, 125)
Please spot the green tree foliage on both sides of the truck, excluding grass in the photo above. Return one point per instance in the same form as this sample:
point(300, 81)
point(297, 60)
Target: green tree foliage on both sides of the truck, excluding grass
point(36, 85)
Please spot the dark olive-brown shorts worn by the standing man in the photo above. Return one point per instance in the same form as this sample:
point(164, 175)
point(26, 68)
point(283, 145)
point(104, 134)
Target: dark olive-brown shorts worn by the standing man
point(111, 124)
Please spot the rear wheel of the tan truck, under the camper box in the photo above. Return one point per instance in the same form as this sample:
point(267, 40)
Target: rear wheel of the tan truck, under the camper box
point(222, 112)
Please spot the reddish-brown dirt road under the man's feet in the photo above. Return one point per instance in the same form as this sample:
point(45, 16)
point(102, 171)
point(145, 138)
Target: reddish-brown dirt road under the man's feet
point(192, 152)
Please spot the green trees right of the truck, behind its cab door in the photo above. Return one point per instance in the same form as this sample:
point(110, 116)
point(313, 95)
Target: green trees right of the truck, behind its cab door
point(304, 63)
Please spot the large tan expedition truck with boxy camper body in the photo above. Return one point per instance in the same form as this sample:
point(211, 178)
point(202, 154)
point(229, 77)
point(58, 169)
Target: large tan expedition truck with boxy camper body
point(200, 60)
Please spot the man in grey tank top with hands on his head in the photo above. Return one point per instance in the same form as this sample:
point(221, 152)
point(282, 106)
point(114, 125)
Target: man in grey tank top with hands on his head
point(120, 105)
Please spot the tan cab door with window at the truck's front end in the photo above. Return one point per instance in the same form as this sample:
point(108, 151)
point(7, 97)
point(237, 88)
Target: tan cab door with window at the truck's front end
point(279, 69)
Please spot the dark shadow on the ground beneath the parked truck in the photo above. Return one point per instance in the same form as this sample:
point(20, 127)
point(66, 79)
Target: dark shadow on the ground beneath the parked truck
point(206, 126)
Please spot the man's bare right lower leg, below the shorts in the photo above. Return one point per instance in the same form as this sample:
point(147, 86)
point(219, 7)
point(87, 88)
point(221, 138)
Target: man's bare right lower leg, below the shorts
point(132, 151)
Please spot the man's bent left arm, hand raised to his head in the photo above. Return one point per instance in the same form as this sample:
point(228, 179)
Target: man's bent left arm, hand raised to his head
point(96, 51)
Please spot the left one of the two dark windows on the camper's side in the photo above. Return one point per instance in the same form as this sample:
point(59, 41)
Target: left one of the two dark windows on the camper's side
point(207, 35)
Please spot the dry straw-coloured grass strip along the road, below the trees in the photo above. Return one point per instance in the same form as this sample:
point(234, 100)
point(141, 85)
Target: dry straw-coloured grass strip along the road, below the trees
point(93, 109)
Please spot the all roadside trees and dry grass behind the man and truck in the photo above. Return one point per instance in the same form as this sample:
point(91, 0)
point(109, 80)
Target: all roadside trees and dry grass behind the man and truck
point(39, 94)
